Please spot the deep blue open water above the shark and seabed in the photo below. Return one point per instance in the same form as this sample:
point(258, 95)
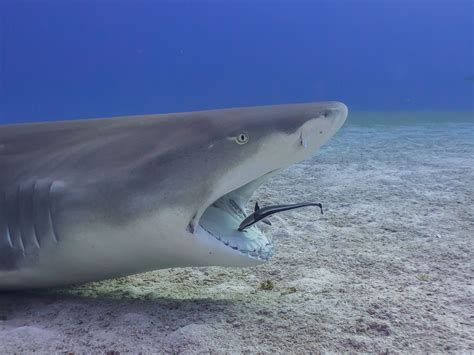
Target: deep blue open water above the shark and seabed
point(80, 59)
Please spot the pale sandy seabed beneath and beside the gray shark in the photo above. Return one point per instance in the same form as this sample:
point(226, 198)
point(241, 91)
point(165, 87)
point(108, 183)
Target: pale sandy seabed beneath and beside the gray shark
point(388, 267)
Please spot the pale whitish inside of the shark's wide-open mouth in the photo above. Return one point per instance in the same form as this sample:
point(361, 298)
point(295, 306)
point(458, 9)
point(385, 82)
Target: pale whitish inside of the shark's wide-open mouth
point(223, 217)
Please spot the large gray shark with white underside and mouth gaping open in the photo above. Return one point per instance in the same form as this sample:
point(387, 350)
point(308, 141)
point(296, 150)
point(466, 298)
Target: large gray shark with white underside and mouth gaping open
point(93, 199)
